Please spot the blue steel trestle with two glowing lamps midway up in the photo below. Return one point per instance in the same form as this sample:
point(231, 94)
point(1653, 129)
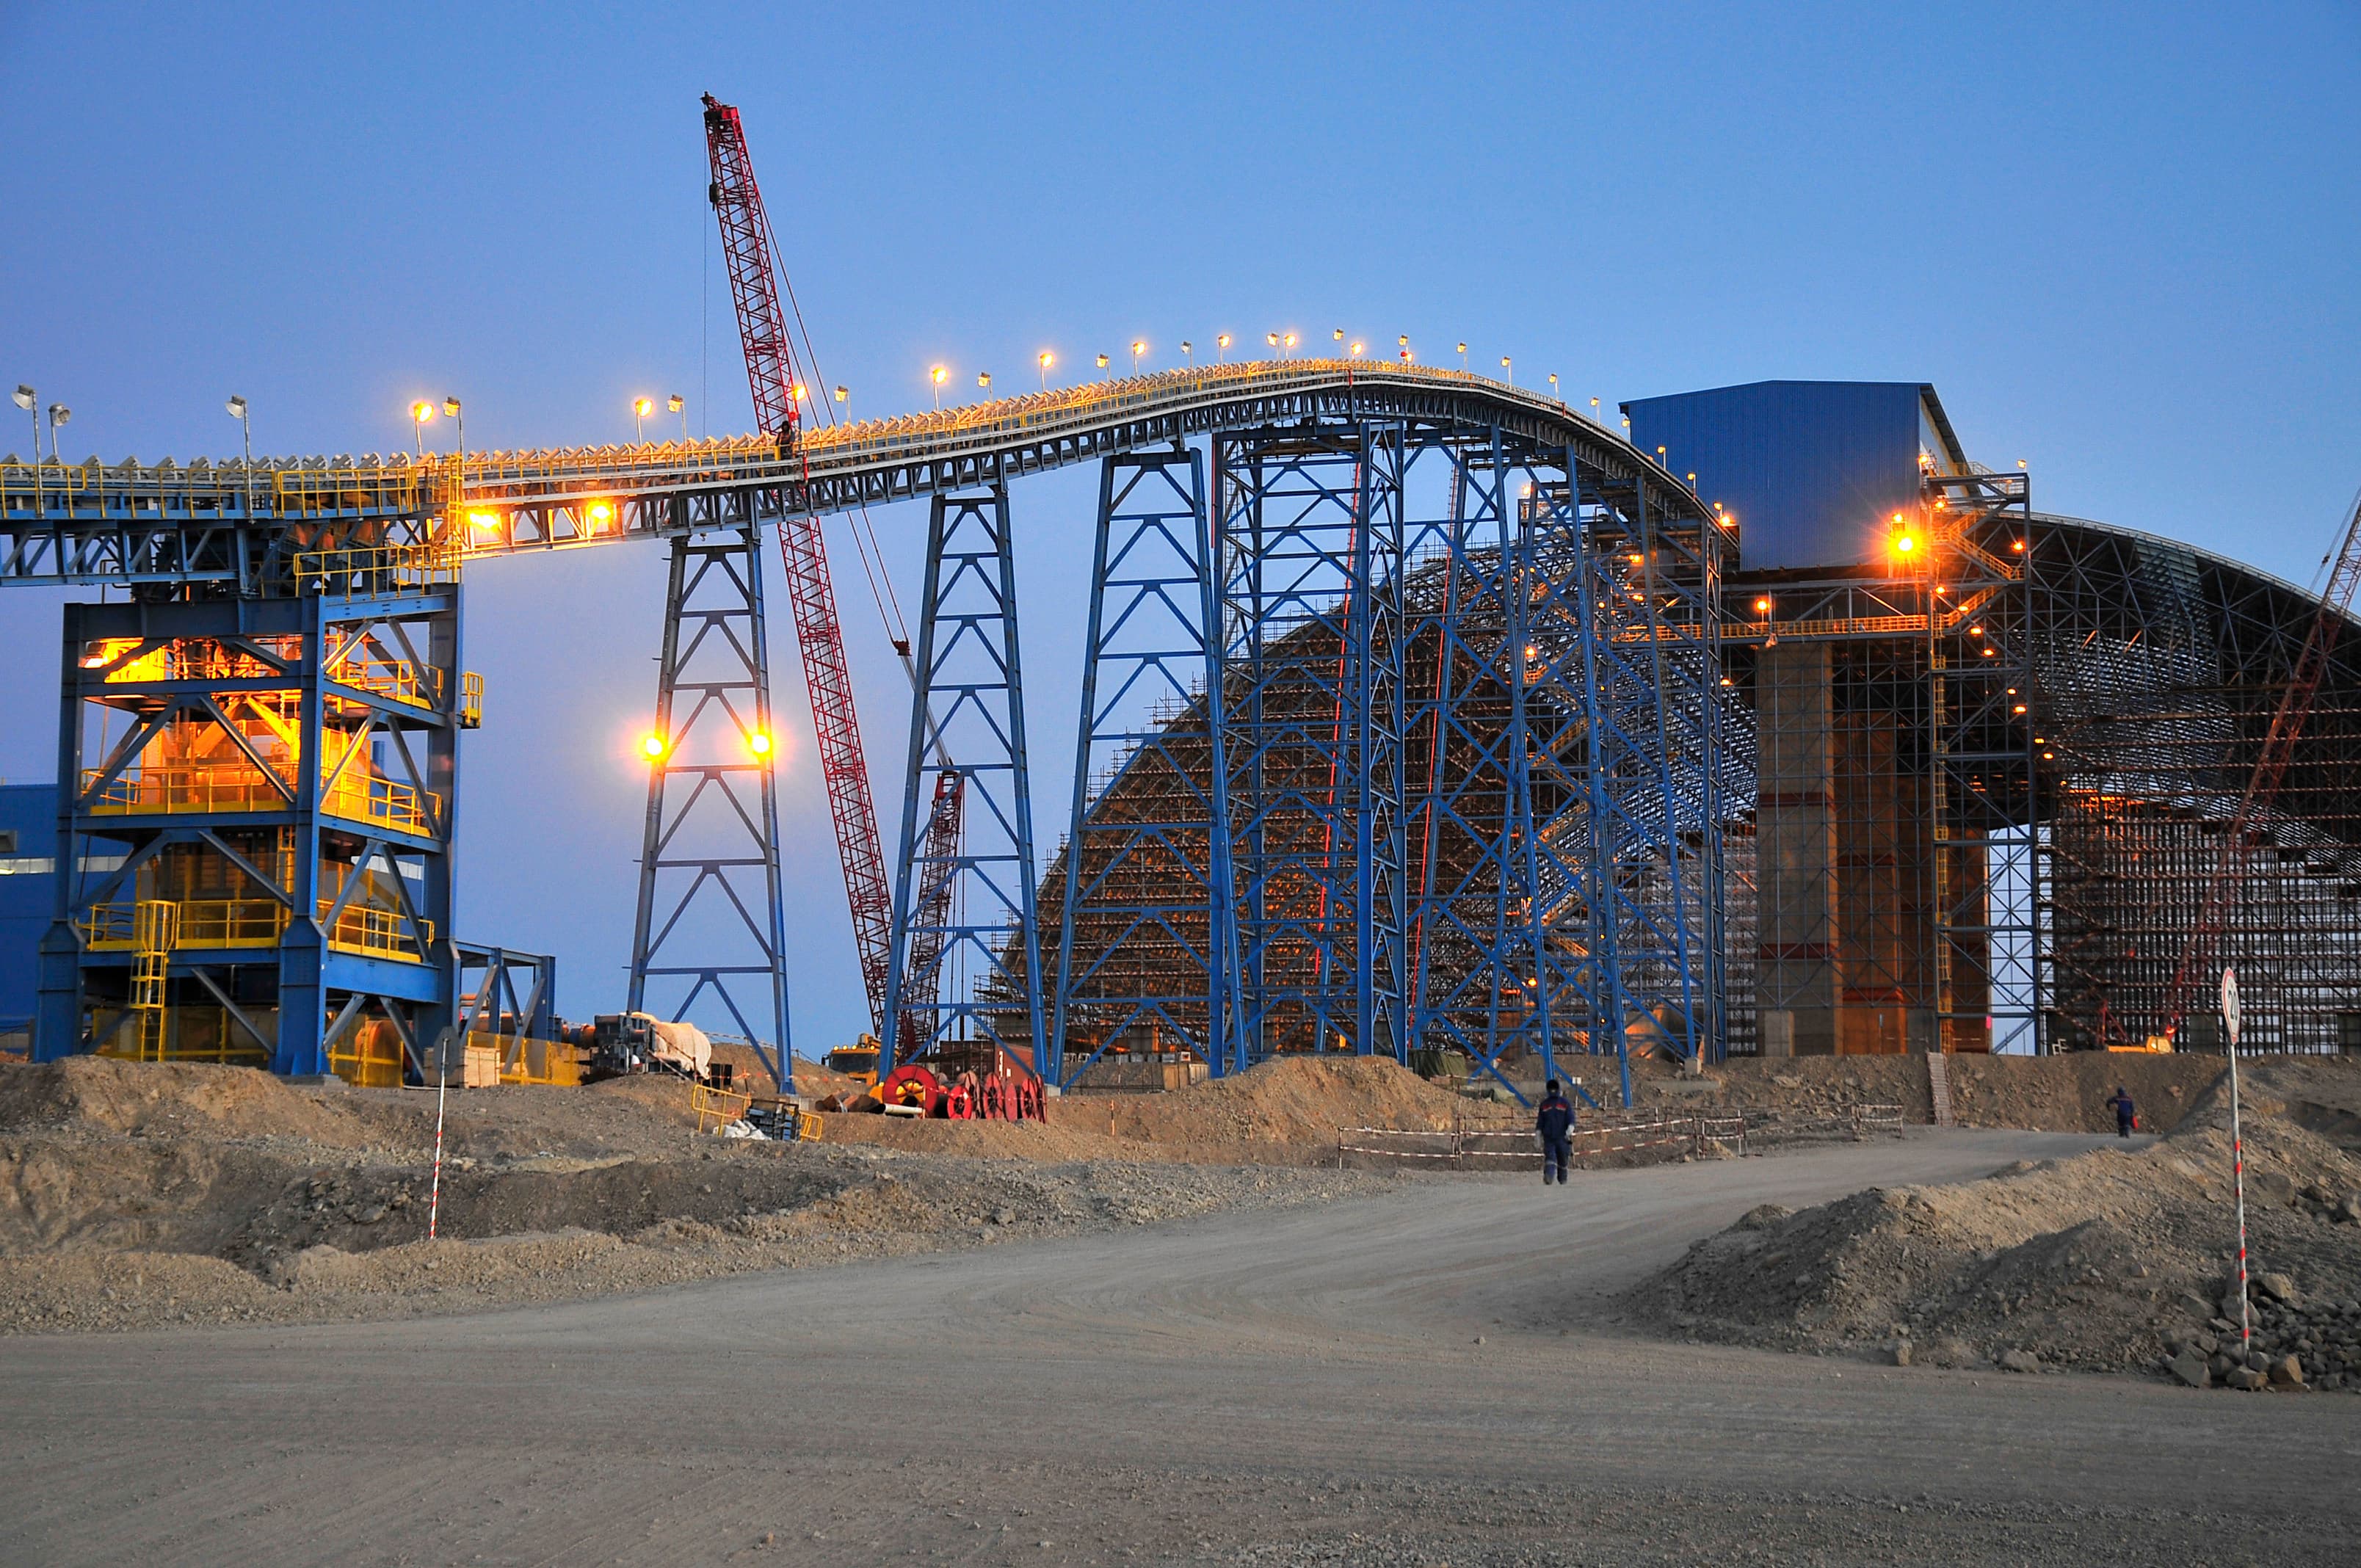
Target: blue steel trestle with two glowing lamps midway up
point(709, 863)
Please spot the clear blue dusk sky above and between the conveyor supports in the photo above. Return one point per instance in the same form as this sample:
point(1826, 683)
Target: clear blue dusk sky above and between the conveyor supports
point(2124, 242)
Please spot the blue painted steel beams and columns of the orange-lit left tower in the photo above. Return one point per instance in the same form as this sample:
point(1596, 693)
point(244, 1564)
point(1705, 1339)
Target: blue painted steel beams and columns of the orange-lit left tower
point(214, 662)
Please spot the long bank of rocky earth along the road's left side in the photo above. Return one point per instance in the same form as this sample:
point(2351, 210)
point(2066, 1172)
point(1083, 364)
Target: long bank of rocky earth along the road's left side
point(261, 1201)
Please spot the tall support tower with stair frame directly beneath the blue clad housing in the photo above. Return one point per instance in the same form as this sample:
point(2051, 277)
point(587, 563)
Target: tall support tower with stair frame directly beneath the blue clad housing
point(1895, 873)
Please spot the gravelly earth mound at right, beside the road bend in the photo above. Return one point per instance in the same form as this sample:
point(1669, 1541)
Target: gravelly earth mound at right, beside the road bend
point(2107, 1262)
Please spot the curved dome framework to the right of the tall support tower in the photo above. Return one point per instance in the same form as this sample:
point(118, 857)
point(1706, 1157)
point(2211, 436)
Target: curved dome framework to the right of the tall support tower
point(2159, 677)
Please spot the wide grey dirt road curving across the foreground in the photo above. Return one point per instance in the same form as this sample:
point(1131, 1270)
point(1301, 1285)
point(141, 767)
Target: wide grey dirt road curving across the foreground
point(1423, 1378)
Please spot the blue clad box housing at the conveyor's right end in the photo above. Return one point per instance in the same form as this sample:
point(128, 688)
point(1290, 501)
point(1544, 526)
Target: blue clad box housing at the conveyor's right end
point(1810, 466)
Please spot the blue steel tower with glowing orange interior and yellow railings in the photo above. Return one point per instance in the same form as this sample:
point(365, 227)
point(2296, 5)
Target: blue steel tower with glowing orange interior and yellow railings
point(256, 863)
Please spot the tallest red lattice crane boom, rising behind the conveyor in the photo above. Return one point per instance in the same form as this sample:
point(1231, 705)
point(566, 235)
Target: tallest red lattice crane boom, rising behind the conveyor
point(771, 377)
